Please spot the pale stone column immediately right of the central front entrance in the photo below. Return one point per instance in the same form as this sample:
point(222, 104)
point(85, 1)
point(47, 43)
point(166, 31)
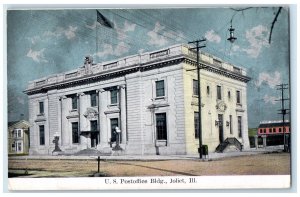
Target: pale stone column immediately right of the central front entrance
point(102, 118)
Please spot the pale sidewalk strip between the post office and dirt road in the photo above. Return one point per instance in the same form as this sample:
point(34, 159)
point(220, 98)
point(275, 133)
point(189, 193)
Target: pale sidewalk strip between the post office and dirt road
point(211, 156)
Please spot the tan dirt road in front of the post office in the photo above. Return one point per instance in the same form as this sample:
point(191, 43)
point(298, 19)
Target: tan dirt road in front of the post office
point(261, 164)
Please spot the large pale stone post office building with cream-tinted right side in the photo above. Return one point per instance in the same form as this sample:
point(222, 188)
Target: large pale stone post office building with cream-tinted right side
point(149, 97)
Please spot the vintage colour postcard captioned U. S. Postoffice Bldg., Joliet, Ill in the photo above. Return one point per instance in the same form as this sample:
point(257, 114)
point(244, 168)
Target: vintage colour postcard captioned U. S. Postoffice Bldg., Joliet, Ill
point(149, 98)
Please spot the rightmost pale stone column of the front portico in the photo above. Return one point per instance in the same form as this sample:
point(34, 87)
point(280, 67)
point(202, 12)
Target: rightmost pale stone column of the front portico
point(123, 113)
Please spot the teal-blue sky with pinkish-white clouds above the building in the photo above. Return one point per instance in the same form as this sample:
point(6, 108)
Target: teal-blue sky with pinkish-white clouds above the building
point(45, 42)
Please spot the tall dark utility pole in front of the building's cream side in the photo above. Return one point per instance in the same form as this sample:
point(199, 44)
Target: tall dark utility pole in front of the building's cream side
point(197, 43)
